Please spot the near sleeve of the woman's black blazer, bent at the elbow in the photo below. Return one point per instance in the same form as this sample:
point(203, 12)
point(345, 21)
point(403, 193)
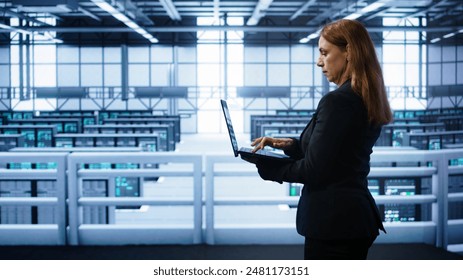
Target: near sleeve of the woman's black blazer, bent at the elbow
point(334, 121)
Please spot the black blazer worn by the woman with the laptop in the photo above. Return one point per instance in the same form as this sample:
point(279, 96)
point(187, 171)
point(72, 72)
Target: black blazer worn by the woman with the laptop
point(333, 156)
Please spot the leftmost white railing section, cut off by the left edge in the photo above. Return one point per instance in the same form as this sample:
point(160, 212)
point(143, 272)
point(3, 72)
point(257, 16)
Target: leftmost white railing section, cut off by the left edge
point(35, 234)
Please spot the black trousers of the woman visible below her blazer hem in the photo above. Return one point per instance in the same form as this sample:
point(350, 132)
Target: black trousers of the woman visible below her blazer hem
point(338, 249)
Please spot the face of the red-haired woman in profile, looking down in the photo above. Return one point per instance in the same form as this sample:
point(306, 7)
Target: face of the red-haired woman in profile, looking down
point(332, 60)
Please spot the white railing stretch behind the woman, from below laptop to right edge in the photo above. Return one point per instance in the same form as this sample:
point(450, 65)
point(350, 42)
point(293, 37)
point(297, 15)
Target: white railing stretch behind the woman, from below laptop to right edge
point(437, 231)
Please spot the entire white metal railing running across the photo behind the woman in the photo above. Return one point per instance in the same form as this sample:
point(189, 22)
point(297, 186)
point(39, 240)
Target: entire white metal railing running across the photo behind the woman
point(438, 231)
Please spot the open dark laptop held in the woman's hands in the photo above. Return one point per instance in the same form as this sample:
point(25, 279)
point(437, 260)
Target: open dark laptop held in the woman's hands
point(246, 153)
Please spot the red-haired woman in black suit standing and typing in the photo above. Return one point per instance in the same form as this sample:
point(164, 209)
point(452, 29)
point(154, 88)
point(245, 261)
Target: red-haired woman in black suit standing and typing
point(336, 213)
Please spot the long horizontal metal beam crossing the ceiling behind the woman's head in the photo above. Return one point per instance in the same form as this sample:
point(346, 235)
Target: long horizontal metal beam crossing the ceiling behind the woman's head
point(263, 29)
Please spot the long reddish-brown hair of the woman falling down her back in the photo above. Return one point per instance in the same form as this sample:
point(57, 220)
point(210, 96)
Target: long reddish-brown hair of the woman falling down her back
point(363, 67)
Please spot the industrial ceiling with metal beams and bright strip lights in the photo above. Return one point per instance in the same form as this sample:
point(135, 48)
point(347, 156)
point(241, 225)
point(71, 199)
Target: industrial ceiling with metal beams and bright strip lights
point(265, 21)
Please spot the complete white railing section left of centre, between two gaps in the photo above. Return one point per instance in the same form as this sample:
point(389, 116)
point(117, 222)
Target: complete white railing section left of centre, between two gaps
point(80, 233)
